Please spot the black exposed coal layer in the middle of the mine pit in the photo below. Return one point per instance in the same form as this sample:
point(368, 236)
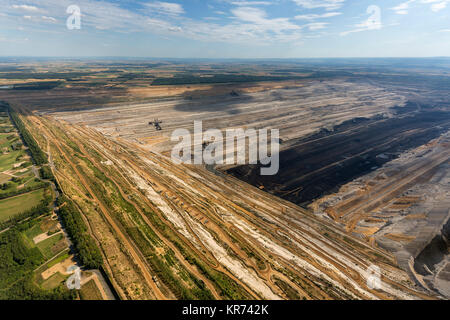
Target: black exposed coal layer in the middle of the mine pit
point(320, 164)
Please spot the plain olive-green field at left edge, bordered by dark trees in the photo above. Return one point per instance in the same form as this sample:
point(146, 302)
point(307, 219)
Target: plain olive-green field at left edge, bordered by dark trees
point(11, 206)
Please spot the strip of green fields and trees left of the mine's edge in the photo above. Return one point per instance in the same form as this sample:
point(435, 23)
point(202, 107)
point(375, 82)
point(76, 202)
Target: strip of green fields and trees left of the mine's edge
point(19, 255)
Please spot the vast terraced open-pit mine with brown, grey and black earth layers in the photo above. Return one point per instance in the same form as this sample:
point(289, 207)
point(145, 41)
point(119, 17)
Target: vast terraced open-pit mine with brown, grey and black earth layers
point(363, 180)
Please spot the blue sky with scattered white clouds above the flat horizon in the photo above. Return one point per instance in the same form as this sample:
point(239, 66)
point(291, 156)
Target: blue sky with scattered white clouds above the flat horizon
point(225, 28)
